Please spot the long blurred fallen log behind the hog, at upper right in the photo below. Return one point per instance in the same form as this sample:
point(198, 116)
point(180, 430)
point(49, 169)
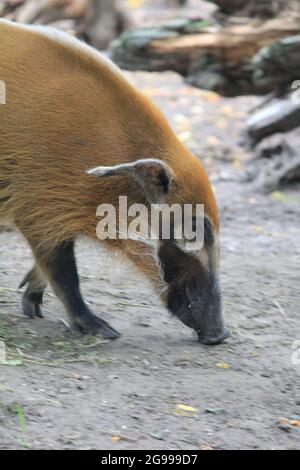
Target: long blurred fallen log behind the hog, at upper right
point(209, 56)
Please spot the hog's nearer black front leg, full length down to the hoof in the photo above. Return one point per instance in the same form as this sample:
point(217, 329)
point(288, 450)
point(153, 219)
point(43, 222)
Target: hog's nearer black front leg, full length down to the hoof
point(60, 268)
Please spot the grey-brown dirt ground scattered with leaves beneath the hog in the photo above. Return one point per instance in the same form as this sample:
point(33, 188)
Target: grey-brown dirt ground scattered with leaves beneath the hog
point(69, 393)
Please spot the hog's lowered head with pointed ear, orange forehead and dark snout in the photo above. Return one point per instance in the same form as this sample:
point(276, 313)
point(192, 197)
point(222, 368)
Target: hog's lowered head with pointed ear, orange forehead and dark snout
point(191, 279)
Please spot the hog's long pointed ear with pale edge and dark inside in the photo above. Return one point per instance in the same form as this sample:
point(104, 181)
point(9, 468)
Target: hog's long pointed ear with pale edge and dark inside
point(154, 177)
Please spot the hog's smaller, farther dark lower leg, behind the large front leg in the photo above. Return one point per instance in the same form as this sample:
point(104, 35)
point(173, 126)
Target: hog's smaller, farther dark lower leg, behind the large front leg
point(33, 296)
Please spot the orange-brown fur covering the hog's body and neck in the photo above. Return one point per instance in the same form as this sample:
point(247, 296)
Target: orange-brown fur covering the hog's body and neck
point(68, 110)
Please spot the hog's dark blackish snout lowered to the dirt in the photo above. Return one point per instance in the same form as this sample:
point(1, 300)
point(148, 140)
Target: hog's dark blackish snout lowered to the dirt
point(194, 294)
